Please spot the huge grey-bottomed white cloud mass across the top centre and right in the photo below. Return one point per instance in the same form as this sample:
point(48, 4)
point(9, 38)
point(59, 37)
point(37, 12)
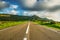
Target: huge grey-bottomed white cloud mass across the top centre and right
point(40, 5)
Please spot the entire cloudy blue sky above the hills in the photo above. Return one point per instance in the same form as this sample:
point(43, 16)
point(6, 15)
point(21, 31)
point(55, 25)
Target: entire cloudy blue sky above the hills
point(43, 8)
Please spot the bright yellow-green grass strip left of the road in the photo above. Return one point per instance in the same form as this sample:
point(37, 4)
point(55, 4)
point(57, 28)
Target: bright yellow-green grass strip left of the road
point(6, 24)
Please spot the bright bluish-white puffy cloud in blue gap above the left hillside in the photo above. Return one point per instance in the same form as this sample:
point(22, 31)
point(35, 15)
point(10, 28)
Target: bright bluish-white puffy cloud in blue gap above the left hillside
point(12, 9)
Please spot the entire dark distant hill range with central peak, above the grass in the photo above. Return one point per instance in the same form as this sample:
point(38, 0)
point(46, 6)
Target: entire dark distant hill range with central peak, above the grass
point(9, 17)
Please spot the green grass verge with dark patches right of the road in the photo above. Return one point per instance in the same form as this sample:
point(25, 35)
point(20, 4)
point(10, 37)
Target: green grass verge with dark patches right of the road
point(55, 26)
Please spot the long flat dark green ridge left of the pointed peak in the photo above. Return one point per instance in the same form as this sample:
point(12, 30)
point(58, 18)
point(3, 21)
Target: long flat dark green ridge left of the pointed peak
point(9, 17)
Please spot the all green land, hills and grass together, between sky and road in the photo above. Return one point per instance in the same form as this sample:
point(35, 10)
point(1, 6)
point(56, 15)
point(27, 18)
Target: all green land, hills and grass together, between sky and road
point(7, 20)
